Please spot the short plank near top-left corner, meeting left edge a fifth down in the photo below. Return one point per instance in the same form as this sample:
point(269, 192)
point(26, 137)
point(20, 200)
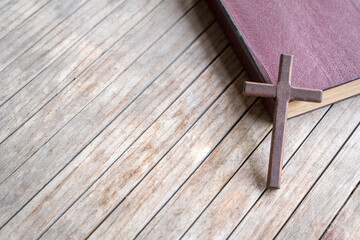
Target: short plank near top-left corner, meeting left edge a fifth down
point(38, 25)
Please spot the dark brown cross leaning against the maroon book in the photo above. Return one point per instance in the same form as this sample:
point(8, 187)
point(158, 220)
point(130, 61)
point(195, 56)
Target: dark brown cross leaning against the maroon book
point(283, 92)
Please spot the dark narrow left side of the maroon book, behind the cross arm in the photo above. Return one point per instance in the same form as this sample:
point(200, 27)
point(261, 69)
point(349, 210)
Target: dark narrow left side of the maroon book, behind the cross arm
point(239, 46)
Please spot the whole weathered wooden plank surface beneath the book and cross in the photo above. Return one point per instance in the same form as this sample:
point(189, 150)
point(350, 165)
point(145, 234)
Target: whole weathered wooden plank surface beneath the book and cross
point(125, 119)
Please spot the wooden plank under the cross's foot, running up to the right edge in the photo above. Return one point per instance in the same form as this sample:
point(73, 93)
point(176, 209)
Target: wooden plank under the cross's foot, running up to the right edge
point(301, 172)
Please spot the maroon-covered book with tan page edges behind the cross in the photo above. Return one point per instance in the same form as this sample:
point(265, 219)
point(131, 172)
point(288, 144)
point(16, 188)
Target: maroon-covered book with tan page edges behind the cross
point(323, 37)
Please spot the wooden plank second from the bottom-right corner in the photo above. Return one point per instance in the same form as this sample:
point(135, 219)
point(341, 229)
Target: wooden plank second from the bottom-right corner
point(328, 195)
